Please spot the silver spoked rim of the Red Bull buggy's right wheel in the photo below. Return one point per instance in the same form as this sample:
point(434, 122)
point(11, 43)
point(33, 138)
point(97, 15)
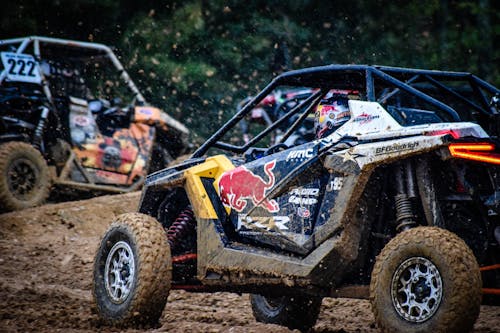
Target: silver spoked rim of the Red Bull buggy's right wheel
point(416, 289)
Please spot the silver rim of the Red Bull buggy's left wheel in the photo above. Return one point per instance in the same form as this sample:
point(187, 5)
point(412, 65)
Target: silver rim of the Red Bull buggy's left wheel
point(119, 272)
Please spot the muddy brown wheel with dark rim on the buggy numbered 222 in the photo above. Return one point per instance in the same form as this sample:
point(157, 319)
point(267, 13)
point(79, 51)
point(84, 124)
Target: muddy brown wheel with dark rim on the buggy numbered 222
point(24, 176)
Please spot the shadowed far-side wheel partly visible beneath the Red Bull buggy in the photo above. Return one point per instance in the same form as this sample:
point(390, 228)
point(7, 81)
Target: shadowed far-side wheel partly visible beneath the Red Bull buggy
point(295, 312)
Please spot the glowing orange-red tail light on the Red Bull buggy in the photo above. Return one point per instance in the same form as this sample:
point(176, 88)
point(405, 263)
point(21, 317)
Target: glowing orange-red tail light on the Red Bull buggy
point(481, 152)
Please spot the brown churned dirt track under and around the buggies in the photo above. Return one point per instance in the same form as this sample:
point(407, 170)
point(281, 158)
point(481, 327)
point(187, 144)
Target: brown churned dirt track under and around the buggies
point(46, 258)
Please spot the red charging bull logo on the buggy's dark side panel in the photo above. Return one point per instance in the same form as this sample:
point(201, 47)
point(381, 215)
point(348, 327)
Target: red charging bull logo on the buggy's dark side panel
point(238, 186)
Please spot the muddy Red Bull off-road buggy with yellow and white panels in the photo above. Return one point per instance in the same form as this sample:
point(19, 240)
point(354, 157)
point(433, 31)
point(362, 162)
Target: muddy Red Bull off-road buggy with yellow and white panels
point(399, 205)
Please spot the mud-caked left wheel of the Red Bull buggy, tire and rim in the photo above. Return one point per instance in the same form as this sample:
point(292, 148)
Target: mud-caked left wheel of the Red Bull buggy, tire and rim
point(132, 272)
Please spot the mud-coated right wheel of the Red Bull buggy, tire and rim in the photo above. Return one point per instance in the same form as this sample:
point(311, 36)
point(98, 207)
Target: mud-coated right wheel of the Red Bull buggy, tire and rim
point(426, 280)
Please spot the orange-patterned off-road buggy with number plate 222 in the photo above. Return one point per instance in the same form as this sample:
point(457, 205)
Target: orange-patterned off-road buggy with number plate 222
point(62, 122)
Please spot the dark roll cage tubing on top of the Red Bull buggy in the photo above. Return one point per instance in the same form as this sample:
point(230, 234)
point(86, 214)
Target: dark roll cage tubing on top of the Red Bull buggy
point(323, 77)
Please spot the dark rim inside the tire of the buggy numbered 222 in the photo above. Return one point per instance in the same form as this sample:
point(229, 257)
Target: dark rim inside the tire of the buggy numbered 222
point(22, 178)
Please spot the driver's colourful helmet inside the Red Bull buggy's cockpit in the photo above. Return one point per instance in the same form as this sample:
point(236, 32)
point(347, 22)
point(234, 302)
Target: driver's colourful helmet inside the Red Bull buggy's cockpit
point(331, 113)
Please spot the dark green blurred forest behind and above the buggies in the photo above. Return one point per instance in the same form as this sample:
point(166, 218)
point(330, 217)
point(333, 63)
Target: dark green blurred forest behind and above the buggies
point(197, 58)
